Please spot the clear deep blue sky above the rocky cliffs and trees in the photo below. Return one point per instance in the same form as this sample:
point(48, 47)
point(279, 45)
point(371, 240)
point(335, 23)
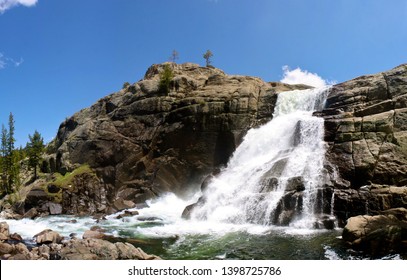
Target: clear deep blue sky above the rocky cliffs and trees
point(59, 56)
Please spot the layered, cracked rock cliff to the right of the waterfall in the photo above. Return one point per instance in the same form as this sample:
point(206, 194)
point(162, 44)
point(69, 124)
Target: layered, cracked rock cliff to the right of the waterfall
point(366, 129)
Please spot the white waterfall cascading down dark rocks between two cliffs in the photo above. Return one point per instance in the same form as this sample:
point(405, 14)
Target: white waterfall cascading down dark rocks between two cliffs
point(273, 176)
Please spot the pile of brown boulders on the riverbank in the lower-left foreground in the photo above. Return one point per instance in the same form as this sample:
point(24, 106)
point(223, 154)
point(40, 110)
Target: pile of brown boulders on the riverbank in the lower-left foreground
point(50, 245)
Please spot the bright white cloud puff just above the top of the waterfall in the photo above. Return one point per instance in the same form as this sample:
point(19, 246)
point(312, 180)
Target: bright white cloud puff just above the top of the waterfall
point(299, 76)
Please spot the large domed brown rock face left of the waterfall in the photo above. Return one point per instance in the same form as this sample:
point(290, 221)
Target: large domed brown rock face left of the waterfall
point(142, 142)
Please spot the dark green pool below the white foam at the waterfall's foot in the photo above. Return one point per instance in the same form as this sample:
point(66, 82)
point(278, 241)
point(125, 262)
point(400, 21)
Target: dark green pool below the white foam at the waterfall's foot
point(275, 245)
